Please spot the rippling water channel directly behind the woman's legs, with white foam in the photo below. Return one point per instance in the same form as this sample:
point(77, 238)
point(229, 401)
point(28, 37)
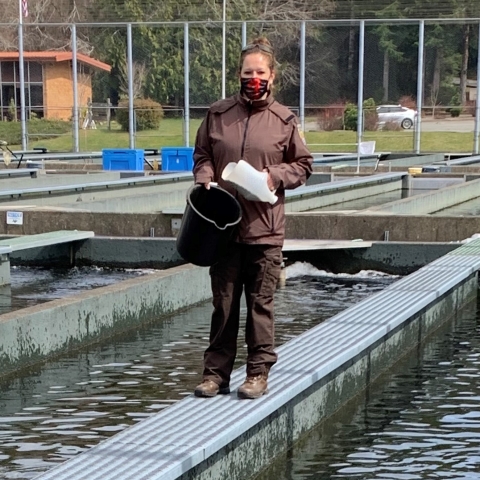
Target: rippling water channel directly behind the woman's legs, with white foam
point(63, 407)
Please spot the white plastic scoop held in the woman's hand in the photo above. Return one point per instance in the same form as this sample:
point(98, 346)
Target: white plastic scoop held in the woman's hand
point(250, 183)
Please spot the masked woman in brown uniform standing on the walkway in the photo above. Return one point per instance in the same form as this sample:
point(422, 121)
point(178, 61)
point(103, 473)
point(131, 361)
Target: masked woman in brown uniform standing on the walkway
point(254, 127)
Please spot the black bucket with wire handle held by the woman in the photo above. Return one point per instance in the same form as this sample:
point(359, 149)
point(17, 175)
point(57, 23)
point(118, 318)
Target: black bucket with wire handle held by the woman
point(208, 223)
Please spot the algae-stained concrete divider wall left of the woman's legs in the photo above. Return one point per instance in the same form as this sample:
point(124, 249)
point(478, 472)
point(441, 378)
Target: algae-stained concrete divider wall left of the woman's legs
point(35, 333)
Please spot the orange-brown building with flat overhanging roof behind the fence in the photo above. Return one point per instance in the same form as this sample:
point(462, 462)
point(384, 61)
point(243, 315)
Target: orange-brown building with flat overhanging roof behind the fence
point(48, 83)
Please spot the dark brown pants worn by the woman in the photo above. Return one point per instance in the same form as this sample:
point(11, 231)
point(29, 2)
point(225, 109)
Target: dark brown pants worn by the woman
point(257, 269)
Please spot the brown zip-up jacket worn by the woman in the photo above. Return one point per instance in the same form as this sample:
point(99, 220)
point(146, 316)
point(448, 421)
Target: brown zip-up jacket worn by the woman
point(265, 134)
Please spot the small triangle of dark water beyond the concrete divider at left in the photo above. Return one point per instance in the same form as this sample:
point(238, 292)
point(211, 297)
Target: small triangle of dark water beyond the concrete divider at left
point(33, 286)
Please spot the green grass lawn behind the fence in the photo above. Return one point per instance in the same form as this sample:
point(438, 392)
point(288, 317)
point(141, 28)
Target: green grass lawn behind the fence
point(170, 133)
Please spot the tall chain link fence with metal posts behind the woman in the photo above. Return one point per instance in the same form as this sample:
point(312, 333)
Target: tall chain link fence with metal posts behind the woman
point(180, 69)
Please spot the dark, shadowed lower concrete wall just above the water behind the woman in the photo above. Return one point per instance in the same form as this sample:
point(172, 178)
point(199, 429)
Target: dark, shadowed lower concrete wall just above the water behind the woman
point(116, 252)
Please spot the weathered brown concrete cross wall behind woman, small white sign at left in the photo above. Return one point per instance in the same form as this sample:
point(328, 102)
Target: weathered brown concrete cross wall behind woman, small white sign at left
point(401, 228)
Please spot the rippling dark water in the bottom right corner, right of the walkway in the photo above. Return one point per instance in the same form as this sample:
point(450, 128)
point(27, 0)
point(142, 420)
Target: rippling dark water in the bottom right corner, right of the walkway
point(420, 420)
